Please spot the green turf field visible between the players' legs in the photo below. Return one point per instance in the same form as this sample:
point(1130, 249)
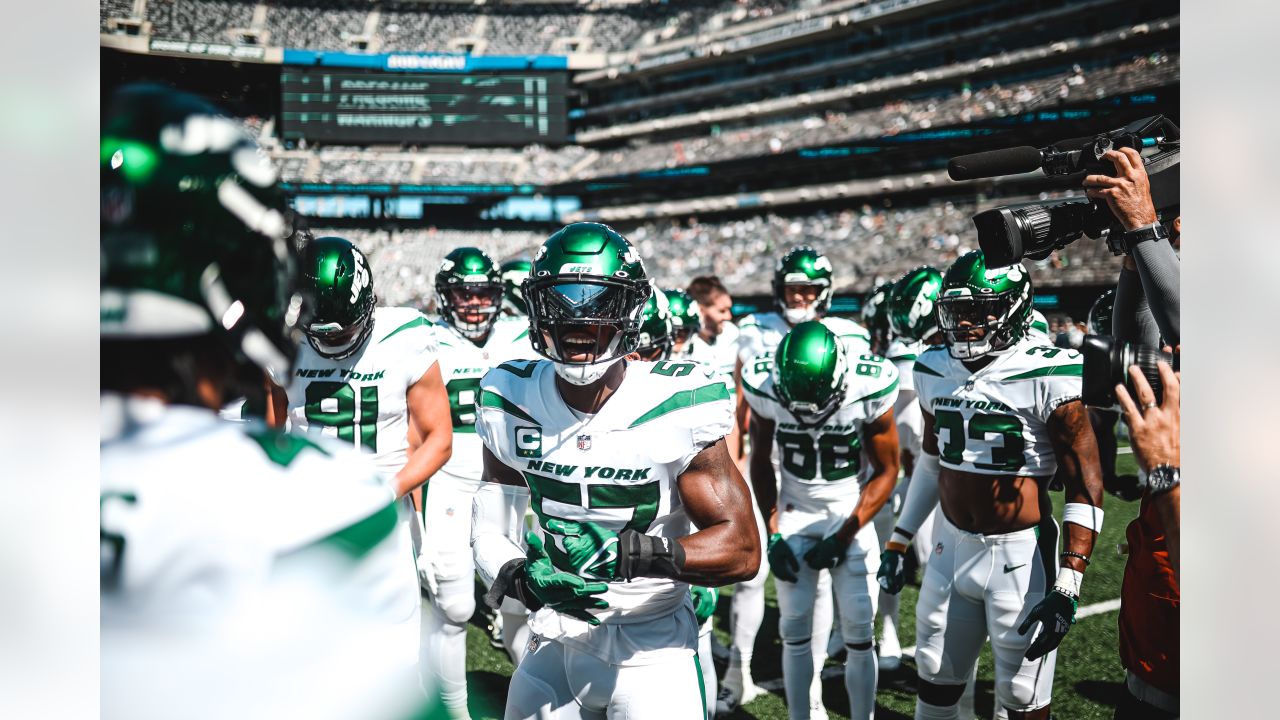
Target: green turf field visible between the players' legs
point(1086, 686)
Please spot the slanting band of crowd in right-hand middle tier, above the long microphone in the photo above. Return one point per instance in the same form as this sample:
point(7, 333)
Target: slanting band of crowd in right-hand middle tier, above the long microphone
point(893, 119)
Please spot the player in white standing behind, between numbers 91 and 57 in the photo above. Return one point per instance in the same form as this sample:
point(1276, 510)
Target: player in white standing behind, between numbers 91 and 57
point(473, 340)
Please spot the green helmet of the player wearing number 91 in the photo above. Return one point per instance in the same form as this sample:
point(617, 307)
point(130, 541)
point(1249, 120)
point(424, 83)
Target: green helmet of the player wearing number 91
point(340, 277)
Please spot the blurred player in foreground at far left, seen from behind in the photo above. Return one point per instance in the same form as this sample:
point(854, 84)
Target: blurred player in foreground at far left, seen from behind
point(212, 531)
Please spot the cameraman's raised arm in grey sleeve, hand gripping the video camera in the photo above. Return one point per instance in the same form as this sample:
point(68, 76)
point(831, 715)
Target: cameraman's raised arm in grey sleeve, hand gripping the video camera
point(1153, 265)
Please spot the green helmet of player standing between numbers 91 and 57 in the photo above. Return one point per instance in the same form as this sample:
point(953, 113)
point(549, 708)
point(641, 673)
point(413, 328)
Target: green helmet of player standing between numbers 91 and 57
point(469, 284)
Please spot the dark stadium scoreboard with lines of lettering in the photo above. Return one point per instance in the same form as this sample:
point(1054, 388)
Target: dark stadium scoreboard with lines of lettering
point(369, 107)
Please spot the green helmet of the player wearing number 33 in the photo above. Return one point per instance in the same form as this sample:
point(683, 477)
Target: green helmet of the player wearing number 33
point(982, 309)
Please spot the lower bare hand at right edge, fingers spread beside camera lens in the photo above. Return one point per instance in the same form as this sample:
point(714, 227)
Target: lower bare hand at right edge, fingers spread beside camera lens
point(1154, 429)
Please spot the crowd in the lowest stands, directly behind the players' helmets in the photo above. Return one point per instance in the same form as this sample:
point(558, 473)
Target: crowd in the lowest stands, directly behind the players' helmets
point(867, 245)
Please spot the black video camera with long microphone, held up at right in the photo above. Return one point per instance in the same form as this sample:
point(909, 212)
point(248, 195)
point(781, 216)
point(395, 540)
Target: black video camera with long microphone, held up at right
point(1035, 230)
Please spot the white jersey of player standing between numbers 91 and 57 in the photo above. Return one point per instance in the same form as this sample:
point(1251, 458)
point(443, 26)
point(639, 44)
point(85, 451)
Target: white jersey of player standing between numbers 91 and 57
point(463, 364)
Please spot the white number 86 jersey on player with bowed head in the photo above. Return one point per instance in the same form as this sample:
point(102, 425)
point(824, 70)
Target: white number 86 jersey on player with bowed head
point(821, 466)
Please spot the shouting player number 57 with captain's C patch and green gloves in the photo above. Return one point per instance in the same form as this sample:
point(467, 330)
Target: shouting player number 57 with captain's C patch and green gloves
point(620, 458)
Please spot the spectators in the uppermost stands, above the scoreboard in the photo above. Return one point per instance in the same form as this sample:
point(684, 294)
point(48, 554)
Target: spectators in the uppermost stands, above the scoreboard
point(508, 30)
